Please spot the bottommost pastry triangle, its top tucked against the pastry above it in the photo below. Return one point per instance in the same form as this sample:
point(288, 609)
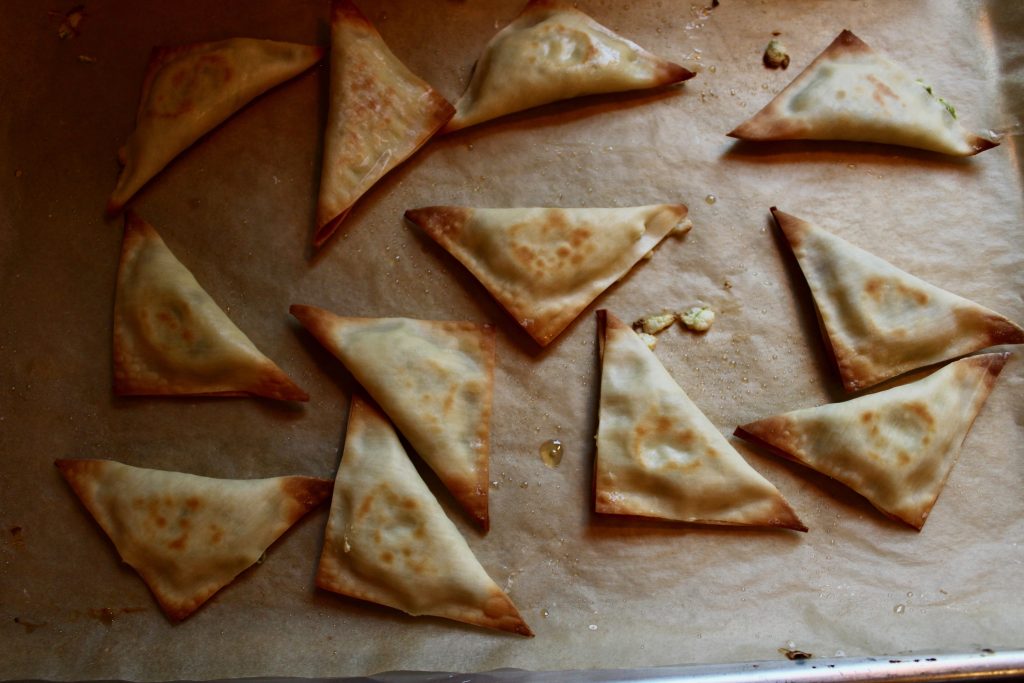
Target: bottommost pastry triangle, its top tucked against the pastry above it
point(390, 542)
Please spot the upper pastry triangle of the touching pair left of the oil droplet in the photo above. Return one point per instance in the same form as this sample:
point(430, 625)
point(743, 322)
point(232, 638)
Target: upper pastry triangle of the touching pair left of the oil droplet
point(436, 381)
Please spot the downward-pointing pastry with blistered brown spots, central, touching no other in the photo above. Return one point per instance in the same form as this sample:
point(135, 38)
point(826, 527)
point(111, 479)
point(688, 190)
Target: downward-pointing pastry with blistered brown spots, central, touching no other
point(546, 266)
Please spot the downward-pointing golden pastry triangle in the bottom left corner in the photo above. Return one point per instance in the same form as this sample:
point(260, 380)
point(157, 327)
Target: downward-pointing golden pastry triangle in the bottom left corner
point(189, 536)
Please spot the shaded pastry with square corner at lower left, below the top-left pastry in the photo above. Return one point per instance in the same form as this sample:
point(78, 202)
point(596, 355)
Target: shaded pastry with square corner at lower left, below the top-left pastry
point(170, 338)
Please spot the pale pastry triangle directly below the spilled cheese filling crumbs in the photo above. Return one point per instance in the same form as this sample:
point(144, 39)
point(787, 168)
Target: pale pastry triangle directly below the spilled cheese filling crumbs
point(659, 456)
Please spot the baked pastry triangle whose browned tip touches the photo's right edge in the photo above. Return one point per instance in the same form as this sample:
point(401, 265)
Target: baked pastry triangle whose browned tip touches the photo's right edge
point(879, 321)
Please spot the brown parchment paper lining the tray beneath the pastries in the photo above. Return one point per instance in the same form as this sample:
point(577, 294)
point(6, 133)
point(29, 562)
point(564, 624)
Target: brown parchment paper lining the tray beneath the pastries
point(238, 209)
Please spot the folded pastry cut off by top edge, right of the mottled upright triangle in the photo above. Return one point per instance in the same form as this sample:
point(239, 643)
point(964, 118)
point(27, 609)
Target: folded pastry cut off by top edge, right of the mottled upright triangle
point(552, 53)
